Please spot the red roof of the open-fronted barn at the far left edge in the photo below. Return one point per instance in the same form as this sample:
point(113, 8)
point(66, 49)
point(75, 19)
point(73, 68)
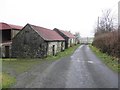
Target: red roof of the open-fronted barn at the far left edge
point(5, 26)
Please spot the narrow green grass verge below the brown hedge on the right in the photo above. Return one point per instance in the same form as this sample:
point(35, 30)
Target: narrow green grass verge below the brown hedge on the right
point(110, 61)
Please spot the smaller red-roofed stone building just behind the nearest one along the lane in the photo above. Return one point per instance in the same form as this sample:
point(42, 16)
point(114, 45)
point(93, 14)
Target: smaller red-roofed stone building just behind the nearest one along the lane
point(69, 37)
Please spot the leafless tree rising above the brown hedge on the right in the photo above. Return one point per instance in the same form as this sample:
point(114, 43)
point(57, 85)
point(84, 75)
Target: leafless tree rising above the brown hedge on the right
point(105, 23)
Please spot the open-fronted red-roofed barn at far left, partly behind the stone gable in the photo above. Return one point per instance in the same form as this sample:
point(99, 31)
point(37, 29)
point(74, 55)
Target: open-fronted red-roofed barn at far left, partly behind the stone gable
point(7, 32)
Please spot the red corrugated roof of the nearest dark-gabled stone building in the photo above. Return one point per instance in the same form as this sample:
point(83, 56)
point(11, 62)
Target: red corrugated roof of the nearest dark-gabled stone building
point(47, 34)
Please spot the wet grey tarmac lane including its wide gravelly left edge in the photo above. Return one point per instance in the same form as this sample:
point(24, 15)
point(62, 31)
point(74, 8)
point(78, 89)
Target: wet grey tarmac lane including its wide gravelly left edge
point(81, 70)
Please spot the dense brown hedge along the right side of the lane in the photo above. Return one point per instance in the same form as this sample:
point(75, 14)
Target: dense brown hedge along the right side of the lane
point(108, 43)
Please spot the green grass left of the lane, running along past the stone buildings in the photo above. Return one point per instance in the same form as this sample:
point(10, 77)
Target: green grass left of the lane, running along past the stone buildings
point(19, 66)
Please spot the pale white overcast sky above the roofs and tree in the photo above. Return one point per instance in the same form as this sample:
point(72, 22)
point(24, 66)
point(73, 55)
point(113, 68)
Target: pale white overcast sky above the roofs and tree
point(72, 15)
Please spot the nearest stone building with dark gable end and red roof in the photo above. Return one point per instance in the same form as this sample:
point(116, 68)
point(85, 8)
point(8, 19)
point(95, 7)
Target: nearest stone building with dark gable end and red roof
point(36, 42)
